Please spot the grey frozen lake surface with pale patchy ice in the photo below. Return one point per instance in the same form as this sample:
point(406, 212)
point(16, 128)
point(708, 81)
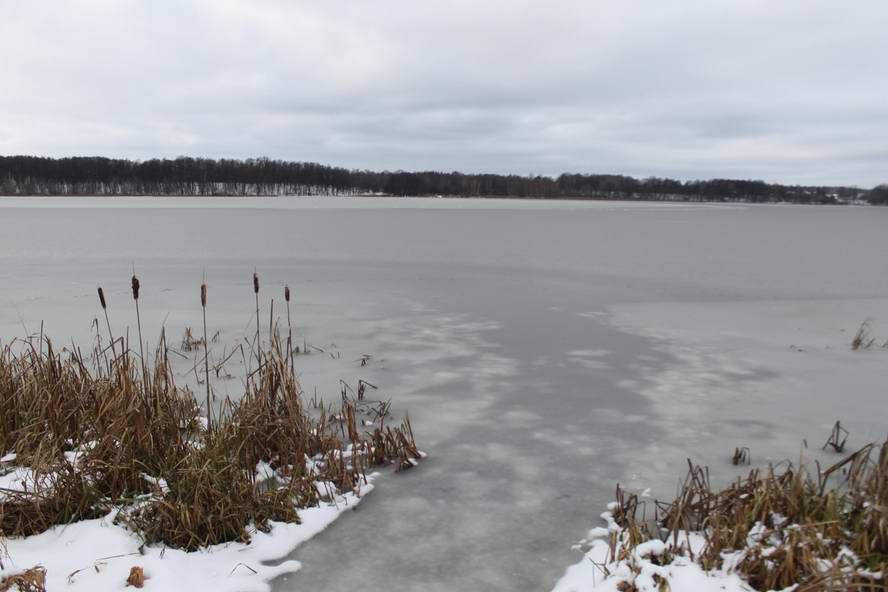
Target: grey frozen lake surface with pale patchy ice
point(544, 350)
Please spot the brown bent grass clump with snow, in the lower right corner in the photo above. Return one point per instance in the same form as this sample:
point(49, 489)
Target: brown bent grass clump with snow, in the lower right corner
point(778, 529)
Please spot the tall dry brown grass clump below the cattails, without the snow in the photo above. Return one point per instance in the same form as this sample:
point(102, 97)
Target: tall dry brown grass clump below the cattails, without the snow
point(110, 431)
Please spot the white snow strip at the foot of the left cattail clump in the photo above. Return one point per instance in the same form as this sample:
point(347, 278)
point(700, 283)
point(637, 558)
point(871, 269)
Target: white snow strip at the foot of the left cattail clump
point(96, 555)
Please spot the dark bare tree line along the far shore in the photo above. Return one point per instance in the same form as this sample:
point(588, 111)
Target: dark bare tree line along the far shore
point(30, 175)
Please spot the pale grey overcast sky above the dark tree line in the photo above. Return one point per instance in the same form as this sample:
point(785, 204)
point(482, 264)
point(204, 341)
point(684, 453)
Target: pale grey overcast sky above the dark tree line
point(790, 90)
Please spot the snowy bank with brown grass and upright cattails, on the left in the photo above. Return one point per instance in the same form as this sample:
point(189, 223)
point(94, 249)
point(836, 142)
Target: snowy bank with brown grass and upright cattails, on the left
point(112, 474)
